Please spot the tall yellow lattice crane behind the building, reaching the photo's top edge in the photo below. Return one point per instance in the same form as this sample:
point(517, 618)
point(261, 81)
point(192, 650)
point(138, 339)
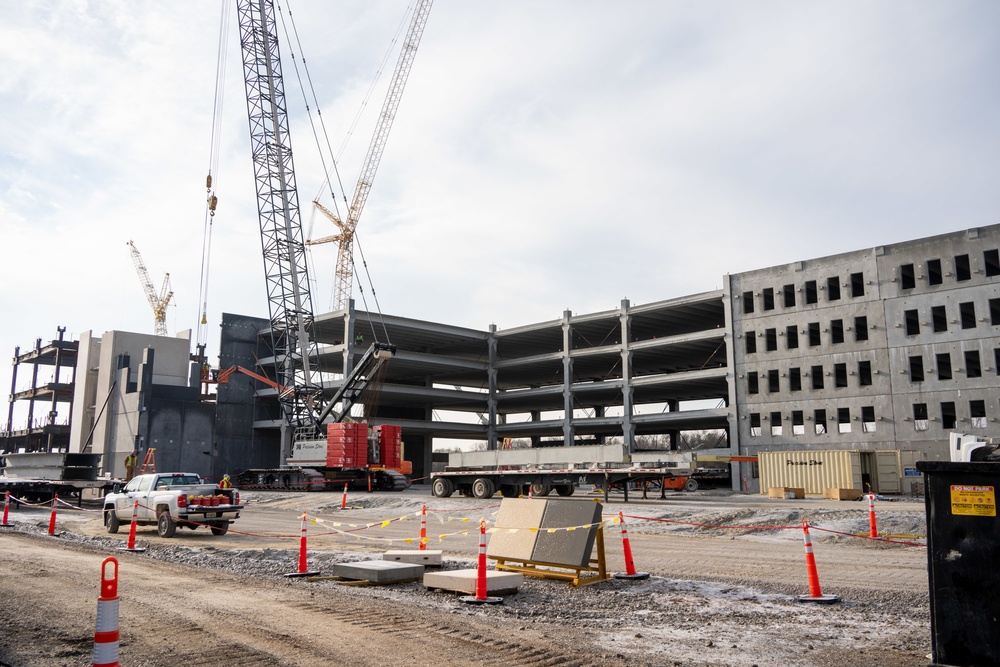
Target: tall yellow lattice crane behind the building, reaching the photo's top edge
point(344, 277)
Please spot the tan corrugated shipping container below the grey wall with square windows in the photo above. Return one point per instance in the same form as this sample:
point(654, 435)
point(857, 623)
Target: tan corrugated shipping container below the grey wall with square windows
point(813, 471)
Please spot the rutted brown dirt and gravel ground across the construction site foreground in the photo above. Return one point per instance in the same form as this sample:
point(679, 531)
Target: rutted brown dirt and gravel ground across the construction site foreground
point(715, 598)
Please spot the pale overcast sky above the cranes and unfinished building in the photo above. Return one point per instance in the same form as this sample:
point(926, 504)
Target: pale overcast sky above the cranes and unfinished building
point(547, 155)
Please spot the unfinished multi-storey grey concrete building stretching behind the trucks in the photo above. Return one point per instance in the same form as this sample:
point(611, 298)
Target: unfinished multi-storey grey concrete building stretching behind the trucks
point(887, 348)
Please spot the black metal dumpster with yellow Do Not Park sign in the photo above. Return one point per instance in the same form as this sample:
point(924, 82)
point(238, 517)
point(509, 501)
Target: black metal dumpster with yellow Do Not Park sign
point(963, 540)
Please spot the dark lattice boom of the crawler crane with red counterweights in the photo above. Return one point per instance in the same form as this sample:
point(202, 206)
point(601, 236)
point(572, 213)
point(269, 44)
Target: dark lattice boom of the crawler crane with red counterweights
point(285, 270)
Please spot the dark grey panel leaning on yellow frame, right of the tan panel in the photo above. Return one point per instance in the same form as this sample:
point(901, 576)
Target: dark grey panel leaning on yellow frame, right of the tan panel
point(567, 547)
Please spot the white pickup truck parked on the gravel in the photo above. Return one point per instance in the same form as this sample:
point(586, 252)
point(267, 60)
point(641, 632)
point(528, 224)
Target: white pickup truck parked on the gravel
point(171, 499)
